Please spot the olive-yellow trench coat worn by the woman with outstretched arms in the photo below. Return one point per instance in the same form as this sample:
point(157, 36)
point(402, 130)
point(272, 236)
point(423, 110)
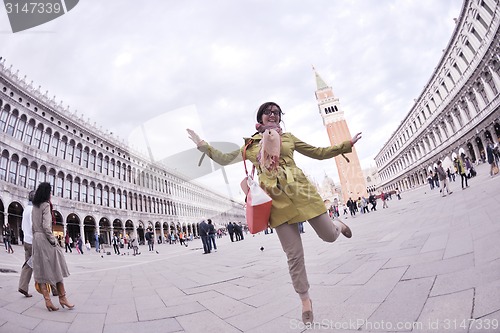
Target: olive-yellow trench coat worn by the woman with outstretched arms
point(295, 199)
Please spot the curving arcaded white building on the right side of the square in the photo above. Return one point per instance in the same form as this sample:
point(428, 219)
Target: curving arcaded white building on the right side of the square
point(458, 110)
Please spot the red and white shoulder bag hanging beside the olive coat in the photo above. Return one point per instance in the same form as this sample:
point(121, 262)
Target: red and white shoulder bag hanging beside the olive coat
point(258, 202)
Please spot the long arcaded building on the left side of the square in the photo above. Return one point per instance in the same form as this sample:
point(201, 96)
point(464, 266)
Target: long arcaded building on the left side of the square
point(99, 184)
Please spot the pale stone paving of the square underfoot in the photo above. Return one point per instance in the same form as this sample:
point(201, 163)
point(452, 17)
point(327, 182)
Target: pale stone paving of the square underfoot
point(427, 263)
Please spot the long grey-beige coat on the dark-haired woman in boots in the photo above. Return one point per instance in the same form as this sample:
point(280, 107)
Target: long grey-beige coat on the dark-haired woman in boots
point(49, 264)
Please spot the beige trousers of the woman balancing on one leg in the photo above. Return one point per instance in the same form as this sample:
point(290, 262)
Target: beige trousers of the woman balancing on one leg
point(291, 243)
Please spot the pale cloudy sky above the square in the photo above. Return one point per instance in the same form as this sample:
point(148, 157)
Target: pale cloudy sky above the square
point(166, 65)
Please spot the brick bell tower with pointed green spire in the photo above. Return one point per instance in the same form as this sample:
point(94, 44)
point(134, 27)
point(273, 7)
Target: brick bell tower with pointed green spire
point(352, 181)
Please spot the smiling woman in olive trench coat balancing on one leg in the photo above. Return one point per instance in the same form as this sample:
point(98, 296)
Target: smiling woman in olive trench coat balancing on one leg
point(294, 198)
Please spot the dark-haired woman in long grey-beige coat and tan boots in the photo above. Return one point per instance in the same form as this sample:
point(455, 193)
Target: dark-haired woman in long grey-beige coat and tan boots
point(49, 265)
